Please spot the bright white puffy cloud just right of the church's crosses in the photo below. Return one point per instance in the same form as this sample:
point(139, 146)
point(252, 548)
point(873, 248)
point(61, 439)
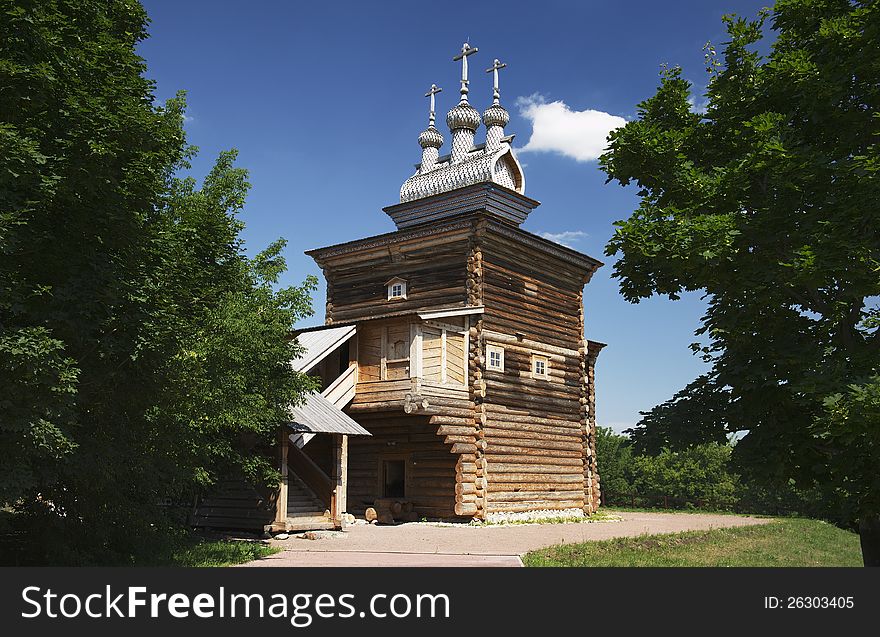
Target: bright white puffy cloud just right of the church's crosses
point(580, 135)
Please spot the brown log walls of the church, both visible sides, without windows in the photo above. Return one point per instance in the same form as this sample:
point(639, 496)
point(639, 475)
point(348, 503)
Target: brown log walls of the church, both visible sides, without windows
point(511, 442)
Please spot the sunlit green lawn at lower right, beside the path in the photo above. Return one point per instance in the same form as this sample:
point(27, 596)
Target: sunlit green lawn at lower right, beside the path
point(782, 542)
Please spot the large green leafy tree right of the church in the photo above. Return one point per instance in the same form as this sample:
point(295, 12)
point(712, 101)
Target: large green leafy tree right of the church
point(766, 202)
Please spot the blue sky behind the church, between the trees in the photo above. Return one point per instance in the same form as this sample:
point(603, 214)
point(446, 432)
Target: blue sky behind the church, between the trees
point(325, 101)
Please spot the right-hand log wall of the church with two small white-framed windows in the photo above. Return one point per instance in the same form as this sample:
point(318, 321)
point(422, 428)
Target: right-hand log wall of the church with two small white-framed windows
point(535, 430)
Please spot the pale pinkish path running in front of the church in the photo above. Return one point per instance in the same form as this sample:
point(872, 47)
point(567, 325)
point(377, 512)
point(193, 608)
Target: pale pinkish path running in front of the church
point(425, 544)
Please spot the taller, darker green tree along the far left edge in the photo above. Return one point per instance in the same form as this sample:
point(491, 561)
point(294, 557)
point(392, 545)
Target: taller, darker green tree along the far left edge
point(84, 156)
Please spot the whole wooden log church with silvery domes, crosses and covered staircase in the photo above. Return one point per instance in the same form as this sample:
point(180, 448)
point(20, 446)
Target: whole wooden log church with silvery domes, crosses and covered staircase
point(457, 381)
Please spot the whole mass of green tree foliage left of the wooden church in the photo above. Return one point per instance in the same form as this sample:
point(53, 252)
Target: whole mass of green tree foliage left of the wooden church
point(142, 353)
